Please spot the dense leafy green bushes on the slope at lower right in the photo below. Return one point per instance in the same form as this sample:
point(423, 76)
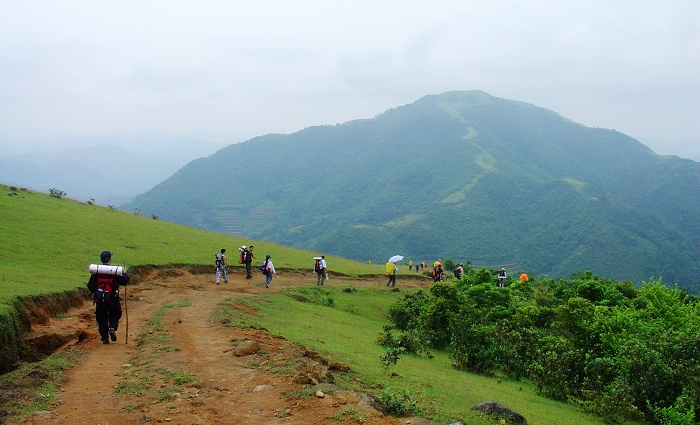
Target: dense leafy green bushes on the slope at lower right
point(618, 351)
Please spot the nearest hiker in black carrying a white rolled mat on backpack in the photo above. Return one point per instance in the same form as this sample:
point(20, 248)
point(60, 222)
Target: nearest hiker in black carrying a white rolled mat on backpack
point(104, 285)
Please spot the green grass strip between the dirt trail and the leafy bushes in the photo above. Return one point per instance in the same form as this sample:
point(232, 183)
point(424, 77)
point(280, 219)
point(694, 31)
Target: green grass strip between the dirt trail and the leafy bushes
point(347, 331)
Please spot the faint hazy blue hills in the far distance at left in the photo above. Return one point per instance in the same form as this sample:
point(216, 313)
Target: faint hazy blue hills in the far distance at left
point(101, 170)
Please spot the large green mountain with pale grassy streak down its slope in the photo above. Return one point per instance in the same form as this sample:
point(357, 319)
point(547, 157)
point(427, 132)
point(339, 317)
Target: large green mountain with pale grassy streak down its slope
point(463, 175)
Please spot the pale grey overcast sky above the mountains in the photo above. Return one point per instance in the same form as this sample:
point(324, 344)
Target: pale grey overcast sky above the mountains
point(226, 71)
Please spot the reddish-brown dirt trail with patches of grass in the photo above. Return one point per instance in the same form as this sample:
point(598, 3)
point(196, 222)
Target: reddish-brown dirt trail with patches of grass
point(228, 389)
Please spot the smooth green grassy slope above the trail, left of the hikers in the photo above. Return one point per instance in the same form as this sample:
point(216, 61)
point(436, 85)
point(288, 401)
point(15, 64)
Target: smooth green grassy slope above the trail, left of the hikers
point(48, 243)
